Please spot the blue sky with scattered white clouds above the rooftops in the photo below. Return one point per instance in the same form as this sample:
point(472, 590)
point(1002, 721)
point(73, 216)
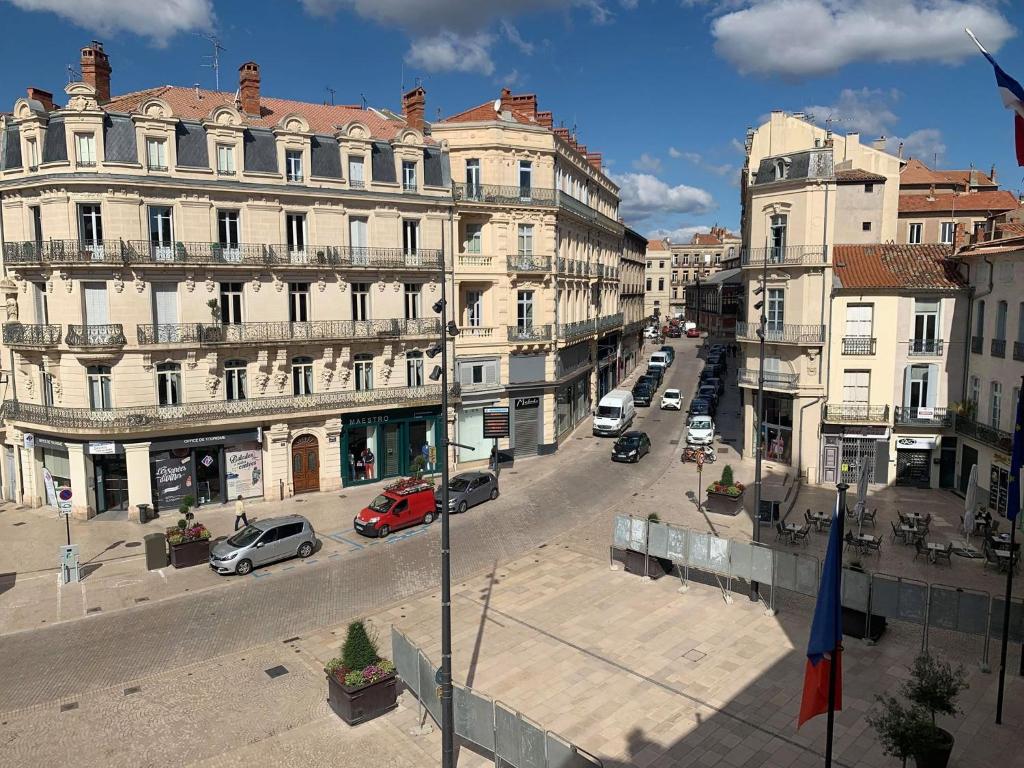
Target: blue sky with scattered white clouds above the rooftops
point(664, 89)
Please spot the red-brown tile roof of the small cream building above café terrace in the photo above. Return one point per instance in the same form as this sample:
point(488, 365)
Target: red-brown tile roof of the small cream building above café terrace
point(897, 266)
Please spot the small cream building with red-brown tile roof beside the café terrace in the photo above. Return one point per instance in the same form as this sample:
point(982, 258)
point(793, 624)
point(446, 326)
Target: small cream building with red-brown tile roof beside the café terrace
point(897, 352)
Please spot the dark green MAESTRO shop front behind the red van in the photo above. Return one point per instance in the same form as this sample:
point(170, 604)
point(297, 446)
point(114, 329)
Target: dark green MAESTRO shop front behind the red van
point(390, 444)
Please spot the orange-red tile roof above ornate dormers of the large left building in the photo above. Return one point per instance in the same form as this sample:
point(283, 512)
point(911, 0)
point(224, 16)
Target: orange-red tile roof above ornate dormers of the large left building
point(322, 118)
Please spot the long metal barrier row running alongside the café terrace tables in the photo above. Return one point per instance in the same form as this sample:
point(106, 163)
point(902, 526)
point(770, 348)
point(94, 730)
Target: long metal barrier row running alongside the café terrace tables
point(932, 607)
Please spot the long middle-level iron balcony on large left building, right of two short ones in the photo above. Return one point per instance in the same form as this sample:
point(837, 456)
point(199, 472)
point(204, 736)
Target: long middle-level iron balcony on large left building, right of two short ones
point(257, 333)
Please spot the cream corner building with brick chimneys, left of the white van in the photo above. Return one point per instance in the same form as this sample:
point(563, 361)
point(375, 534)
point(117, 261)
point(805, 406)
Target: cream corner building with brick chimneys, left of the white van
point(538, 274)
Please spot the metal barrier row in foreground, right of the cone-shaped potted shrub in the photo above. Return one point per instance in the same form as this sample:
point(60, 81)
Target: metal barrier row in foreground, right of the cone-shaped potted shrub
point(514, 740)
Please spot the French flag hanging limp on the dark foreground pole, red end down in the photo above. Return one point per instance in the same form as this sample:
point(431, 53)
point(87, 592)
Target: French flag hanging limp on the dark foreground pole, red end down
point(825, 650)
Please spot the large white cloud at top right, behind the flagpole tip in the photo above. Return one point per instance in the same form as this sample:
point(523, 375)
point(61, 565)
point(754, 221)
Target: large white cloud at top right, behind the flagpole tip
point(799, 38)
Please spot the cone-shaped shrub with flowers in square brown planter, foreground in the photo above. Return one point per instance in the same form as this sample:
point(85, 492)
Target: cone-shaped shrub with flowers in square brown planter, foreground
point(361, 684)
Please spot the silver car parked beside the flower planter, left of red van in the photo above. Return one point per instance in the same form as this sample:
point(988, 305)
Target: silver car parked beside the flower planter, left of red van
point(264, 542)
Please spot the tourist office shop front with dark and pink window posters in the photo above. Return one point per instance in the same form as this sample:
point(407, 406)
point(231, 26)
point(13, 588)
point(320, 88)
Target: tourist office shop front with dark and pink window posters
point(211, 468)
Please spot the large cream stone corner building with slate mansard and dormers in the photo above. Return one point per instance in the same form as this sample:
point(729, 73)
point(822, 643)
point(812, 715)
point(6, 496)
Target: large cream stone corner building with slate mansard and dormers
point(217, 295)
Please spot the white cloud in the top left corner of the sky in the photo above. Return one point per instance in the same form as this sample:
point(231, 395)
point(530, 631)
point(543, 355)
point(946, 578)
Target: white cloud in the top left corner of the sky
point(159, 21)
